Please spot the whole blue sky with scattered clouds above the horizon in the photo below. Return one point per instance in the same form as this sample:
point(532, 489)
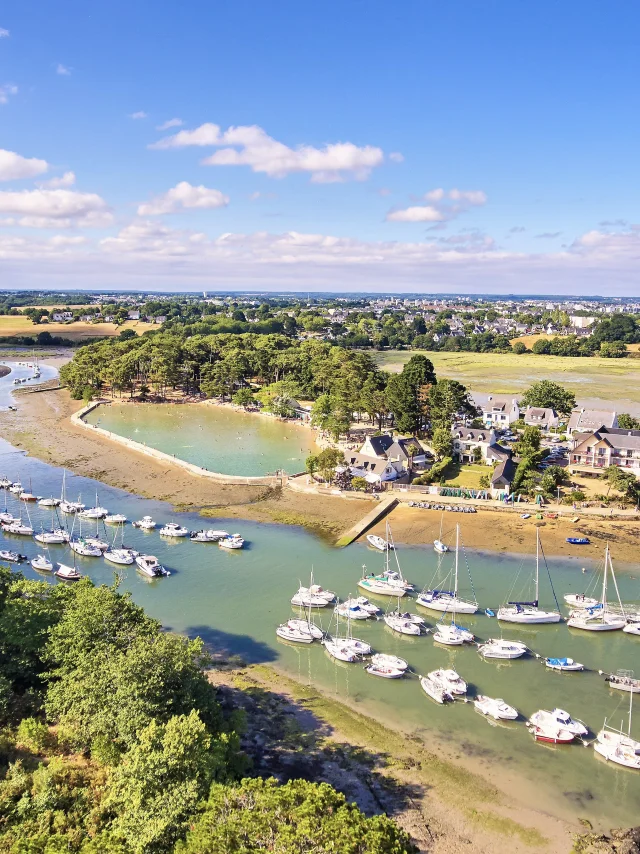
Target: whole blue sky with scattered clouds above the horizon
point(487, 146)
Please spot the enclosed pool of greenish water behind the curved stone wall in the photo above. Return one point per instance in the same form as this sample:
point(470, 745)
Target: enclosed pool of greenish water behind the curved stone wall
point(215, 437)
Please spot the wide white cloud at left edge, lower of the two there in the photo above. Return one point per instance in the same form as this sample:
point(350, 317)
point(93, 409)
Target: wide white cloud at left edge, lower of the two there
point(55, 208)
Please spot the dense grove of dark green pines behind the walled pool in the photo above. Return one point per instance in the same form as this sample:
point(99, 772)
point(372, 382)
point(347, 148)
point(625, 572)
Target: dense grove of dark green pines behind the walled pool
point(274, 369)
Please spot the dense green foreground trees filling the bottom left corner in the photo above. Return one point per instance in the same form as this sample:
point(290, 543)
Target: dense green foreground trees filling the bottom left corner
point(112, 741)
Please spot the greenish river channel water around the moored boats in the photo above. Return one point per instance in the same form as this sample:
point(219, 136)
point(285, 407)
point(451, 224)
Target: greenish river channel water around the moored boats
point(234, 600)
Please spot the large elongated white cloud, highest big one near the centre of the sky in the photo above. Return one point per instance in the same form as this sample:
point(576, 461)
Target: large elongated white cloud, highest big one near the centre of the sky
point(252, 146)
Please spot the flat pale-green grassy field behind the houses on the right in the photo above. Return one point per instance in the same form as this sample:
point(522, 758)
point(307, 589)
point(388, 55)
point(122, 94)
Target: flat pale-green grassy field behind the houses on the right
point(616, 381)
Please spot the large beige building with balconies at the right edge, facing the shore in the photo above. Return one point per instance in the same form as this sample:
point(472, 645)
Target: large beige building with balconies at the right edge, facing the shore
point(607, 446)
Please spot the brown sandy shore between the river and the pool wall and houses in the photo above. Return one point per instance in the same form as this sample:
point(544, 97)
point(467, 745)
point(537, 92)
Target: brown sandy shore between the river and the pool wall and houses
point(43, 428)
